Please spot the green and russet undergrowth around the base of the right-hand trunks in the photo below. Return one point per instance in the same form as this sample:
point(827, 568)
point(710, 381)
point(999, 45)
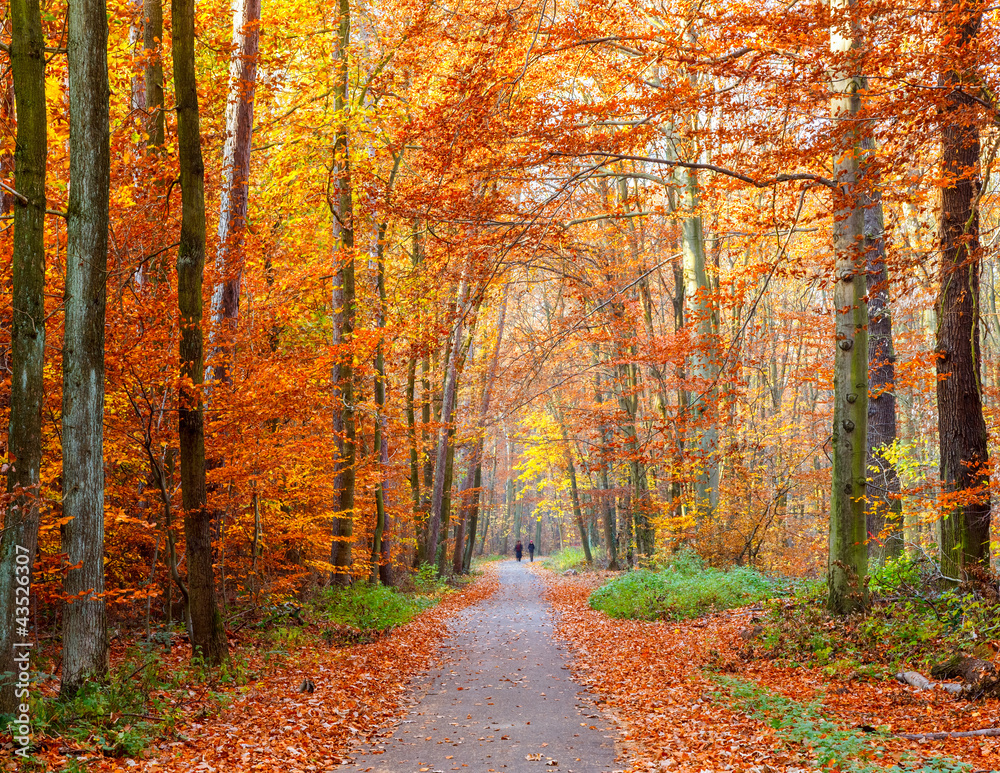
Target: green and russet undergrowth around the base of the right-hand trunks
point(911, 623)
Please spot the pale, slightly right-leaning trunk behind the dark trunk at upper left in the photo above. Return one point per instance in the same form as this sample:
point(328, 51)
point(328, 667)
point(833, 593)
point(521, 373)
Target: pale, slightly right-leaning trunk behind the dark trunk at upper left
point(236, 181)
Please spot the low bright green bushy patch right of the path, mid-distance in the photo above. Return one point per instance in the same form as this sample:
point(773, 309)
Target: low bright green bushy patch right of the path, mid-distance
point(685, 588)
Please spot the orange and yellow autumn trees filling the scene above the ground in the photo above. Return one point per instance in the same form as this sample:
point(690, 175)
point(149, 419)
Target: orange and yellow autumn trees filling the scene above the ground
point(300, 297)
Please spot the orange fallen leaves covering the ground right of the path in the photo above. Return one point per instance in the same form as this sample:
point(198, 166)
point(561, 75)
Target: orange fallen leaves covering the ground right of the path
point(648, 677)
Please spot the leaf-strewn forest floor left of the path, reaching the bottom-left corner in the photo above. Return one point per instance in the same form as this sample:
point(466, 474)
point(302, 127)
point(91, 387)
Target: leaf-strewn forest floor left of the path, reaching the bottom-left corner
point(261, 720)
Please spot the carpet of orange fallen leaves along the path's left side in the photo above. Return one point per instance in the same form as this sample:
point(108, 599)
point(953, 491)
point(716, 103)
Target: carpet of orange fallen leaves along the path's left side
point(271, 726)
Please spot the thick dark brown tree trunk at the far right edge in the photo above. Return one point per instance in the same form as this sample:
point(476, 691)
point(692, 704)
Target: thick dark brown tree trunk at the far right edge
point(965, 525)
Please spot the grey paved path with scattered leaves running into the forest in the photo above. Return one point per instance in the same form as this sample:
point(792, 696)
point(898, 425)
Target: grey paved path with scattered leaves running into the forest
point(502, 698)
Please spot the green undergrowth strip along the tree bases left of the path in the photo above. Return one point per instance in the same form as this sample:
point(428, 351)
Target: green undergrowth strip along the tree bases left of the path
point(146, 695)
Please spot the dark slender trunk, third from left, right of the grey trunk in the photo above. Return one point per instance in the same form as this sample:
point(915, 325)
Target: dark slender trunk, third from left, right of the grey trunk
point(208, 632)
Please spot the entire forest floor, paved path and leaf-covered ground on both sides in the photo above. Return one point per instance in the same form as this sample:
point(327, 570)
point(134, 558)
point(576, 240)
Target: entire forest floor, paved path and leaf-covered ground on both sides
point(684, 696)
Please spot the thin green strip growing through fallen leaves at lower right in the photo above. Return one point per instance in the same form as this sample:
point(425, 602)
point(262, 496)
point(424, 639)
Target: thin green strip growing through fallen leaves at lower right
point(831, 747)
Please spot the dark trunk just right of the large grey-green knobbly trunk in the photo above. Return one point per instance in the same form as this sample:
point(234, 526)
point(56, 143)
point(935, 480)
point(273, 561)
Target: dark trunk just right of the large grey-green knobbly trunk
point(884, 505)
